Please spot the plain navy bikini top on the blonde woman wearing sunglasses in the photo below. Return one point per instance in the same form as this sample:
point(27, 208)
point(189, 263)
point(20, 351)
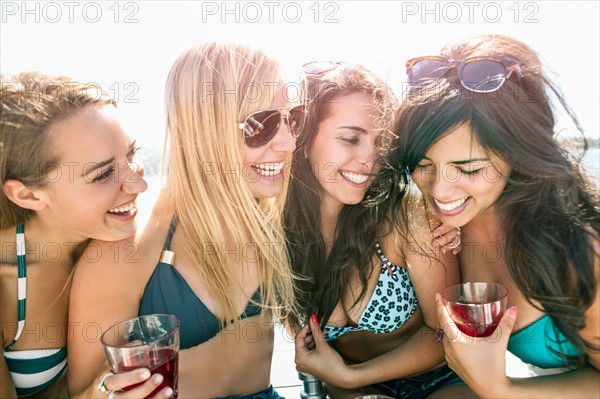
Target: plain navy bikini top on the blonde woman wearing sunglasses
point(167, 292)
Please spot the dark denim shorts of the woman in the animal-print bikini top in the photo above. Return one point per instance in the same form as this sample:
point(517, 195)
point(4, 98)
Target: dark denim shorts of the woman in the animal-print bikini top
point(419, 386)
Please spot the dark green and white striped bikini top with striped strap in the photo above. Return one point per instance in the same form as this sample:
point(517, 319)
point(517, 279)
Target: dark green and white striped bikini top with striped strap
point(33, 370)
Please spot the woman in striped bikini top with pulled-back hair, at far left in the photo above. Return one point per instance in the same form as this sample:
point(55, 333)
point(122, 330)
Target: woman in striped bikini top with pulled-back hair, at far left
point(67, 174)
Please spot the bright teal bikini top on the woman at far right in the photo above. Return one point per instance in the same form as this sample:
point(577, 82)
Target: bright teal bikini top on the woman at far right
point(533, 344)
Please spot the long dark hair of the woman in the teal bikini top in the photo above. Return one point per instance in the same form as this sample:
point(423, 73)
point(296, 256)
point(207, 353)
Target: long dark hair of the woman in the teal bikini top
point(549, 211)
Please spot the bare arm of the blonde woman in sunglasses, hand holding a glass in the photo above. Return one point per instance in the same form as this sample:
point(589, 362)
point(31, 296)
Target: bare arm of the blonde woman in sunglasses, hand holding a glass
point(106, 290)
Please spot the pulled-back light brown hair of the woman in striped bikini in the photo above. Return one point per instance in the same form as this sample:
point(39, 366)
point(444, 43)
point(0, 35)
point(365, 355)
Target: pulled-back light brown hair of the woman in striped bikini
point(30, 104)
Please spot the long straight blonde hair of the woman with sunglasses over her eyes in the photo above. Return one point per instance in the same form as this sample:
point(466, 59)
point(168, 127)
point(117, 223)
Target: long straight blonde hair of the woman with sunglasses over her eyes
point(210, 89)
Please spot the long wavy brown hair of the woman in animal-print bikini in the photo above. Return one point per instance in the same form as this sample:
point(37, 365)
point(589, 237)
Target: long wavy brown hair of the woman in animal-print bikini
point(322, 278)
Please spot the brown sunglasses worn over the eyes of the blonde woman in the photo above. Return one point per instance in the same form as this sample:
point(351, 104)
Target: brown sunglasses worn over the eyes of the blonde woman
point(260, 127)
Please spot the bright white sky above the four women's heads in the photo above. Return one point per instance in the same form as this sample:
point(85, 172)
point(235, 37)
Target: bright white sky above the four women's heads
point(128, 47)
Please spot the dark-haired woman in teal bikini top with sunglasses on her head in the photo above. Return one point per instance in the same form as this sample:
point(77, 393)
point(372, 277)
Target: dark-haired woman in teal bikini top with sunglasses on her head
point(477, 136)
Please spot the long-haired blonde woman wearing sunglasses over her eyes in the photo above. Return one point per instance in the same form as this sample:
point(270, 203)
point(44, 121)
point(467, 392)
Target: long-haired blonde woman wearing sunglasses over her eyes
point(215, 233)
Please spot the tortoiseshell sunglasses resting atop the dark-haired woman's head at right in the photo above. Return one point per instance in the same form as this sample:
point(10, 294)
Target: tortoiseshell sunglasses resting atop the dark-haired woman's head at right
point(478, 74)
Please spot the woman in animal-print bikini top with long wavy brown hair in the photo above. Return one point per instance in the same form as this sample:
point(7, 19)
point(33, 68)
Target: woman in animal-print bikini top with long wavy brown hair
point(371, 288)
